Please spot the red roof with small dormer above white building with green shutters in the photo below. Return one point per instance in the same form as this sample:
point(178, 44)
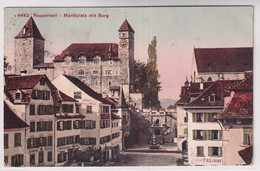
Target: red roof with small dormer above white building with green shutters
point(219, 89)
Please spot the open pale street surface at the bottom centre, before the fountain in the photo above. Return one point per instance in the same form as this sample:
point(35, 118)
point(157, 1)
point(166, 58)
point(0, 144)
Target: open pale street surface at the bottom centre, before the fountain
point(147, 159)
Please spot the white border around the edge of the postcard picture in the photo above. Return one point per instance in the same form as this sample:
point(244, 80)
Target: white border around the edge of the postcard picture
point(115, 3)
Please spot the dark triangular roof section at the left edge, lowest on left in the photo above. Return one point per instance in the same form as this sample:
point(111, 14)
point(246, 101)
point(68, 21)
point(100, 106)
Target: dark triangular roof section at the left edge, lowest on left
point(11, 120)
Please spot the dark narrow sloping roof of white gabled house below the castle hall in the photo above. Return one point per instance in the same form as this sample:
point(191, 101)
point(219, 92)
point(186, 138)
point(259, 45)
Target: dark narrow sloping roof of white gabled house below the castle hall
point(87, 89)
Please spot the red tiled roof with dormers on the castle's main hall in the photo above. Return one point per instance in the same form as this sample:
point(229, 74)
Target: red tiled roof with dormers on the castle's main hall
point(89, 50)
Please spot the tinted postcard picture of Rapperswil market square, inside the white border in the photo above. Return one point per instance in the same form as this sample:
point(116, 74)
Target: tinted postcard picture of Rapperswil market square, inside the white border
point(128, 86)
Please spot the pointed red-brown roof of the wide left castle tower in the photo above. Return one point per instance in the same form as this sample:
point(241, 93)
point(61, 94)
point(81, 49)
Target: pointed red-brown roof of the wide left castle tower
point(31, 30)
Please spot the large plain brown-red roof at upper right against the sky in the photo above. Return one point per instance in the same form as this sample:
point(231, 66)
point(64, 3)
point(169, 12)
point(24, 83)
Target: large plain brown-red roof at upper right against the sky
point(224, 59)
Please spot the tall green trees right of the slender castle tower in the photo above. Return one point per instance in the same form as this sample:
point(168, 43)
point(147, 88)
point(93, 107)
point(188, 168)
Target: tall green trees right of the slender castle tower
point(146, 77)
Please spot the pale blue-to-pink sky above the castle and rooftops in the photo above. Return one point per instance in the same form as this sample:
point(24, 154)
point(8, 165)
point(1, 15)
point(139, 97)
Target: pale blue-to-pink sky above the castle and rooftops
point(178, 31)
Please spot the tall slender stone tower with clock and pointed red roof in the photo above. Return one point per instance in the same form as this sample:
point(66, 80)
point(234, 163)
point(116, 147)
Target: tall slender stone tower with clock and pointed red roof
point(126, 51)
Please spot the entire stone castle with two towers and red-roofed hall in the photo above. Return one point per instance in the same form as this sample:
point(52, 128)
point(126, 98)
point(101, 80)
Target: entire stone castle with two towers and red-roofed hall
point(98, 65)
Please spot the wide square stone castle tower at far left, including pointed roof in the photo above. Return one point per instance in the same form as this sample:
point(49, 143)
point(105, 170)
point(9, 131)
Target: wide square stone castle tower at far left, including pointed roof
point(29, 48)
